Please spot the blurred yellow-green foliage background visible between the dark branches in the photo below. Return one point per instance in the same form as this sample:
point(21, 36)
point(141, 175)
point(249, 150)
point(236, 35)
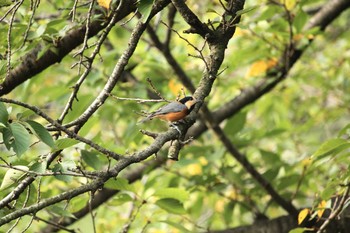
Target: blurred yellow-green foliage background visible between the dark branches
point(296, 135)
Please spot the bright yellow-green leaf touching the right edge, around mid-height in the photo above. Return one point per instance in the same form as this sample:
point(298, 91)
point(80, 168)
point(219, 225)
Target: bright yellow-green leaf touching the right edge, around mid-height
point(332, 146)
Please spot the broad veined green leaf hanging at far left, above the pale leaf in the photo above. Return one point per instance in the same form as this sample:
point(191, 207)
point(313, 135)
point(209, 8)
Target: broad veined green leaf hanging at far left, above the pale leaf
point(17, 138)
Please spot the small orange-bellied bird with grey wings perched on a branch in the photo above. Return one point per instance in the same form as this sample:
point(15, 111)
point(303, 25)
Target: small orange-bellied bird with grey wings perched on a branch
point(173, 111)
